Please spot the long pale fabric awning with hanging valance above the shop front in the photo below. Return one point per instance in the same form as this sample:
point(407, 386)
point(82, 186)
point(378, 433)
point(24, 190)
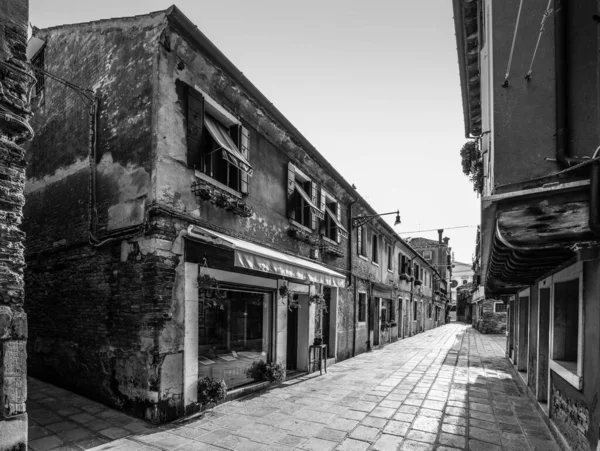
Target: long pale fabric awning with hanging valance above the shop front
point(259, 258)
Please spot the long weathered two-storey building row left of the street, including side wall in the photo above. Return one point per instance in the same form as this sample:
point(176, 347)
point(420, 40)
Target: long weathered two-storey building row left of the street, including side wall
point(181, 227)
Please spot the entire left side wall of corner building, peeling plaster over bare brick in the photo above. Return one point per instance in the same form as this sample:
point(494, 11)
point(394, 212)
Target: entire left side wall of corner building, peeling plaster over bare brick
point(103, 320)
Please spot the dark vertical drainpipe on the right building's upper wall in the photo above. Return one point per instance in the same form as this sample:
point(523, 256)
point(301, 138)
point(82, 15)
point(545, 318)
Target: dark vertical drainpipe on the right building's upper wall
point(562, 80)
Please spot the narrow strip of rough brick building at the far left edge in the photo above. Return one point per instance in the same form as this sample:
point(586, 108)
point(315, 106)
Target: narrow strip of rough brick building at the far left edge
point(16, 81)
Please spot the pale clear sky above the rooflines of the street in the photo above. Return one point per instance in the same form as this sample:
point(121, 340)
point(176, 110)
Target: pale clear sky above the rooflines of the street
point(373, 85)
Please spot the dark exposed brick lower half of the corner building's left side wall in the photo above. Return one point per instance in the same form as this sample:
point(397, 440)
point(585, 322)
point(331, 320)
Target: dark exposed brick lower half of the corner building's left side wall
point(96, 320)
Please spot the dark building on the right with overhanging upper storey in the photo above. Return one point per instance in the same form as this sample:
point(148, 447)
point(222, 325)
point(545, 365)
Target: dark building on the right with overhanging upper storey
point(529, 85)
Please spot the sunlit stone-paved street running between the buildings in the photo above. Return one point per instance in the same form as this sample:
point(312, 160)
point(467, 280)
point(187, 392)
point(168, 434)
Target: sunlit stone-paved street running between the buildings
point(445, 389)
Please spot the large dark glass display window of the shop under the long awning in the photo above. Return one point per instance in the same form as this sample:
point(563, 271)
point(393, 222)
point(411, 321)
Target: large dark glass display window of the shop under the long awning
point(232, 334)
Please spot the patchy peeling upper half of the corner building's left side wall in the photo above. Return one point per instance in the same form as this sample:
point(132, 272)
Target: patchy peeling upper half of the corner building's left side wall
point(92, 56)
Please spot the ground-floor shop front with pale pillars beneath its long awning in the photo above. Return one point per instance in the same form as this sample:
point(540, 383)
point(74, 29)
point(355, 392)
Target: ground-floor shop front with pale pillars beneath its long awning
point(235, 312)
